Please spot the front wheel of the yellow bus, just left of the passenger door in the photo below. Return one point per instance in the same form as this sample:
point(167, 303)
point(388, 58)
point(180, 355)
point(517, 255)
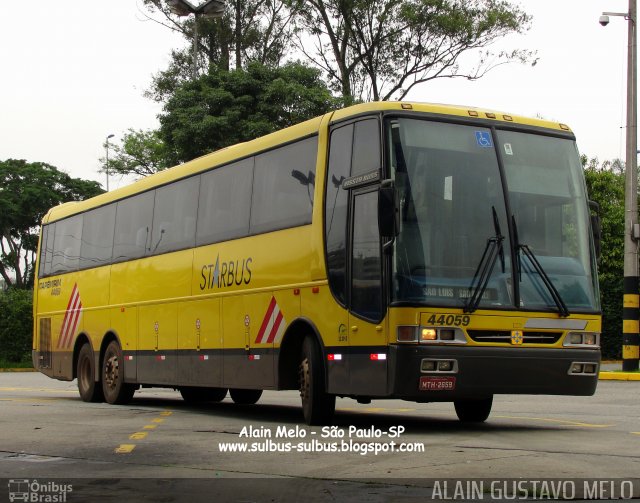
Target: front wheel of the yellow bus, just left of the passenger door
point(317, 405)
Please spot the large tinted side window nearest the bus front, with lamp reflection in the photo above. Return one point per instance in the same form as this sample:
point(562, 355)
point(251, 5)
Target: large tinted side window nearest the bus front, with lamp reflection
point(283, 185)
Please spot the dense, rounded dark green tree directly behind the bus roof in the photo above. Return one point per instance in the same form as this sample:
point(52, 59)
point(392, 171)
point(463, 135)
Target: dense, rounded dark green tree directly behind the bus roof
point(227, 107)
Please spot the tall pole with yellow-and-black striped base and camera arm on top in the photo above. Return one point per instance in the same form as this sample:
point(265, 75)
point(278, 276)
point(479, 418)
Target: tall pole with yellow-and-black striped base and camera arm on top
point(631, 304)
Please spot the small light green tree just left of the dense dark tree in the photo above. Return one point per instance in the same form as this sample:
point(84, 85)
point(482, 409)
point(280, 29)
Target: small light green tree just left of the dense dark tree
point(141, 153)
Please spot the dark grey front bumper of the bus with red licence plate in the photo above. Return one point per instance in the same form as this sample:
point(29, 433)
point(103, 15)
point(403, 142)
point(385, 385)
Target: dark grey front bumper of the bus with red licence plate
point(483, 371)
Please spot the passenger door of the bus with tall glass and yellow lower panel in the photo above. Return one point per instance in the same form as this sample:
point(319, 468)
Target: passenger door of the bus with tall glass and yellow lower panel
point(367, 330)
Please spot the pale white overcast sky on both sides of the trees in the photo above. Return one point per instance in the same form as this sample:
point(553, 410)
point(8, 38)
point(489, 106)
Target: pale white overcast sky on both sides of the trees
point(74, 71)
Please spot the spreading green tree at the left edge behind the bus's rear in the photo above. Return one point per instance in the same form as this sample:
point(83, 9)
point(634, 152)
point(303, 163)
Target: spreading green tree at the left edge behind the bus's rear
point(27, 191)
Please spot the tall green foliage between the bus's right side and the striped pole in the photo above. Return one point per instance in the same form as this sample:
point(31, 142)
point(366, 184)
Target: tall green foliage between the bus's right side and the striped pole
point(605, 185)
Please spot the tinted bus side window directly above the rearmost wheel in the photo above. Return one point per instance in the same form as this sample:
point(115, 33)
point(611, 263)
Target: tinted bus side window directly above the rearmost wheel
point(97, 236)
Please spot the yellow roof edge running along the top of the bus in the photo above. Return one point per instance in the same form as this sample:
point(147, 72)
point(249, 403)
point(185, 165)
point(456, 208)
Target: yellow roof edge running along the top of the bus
point(240, 150)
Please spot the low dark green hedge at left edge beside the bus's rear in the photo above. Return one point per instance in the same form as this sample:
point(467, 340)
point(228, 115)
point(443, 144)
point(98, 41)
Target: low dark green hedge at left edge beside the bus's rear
point(16, 326)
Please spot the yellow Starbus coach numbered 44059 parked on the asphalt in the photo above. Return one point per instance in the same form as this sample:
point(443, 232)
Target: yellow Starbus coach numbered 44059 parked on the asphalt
point(387, 250)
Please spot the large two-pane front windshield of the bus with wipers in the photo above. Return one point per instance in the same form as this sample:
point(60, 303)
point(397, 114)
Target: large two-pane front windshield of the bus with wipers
point(464, 243)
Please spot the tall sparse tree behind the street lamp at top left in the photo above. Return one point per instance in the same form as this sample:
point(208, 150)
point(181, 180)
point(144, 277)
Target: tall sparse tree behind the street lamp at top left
point(250, 31)
